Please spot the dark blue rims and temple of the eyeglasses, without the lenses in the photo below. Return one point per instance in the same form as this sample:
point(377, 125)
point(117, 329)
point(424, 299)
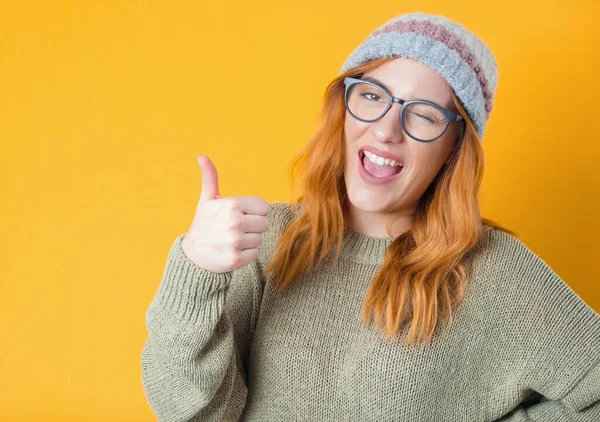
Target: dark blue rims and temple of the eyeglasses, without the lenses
point(450, 115)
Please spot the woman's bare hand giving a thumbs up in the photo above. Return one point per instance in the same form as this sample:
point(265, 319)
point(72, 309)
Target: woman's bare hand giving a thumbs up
point(226, 232)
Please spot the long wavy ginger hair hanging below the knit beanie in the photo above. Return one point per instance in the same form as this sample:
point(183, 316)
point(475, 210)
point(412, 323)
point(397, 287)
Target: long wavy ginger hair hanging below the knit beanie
point(425, 269)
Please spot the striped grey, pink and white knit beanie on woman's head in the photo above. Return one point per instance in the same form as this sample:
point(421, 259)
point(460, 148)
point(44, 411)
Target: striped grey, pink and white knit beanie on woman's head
point(457, 54)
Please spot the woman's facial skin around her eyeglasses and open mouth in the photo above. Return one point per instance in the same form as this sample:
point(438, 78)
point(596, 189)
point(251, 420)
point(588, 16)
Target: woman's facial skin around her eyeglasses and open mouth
point(421, 161)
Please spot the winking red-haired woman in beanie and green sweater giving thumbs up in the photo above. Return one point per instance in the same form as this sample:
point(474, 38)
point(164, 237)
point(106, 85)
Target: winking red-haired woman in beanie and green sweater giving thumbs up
point(379, 294)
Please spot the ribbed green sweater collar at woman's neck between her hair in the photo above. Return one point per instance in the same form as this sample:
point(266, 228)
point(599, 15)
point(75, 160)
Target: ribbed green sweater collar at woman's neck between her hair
point(365, 249)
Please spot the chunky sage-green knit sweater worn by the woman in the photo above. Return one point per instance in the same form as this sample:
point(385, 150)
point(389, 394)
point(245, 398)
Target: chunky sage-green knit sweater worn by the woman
point(523, 346)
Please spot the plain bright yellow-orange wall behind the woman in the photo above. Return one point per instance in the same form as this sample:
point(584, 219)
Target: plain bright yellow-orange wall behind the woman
point(104, 107)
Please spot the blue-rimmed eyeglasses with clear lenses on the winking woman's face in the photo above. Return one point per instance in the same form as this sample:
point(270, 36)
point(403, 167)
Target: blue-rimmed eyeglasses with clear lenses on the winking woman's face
point(422, 120)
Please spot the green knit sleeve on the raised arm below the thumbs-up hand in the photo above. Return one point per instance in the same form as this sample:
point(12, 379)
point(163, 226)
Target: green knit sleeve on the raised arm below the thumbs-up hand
point(192, 360)
